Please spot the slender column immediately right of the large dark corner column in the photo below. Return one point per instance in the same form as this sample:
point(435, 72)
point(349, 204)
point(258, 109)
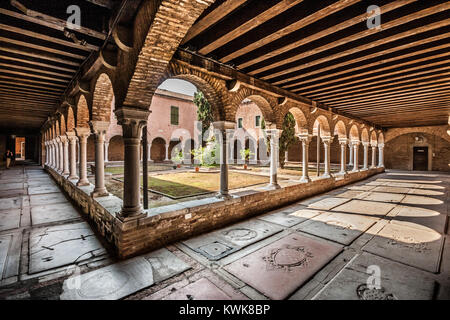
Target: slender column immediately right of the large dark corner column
point(226, 131)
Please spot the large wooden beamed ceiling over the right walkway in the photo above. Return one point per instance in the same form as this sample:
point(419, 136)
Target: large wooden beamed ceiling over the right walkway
point(394, 76)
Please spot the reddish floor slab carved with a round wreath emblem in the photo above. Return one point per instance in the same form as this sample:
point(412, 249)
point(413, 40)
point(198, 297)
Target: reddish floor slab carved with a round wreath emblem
point(281, 267)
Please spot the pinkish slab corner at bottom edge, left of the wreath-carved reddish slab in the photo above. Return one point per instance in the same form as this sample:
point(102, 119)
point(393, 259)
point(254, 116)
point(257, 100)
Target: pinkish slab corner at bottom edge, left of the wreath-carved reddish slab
point(202, 289)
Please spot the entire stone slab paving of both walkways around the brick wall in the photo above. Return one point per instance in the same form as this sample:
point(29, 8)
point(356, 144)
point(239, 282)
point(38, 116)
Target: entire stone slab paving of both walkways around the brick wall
point(389, 230)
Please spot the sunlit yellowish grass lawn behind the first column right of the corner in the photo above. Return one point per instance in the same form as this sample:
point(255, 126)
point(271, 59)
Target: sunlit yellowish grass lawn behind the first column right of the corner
point(193, 183)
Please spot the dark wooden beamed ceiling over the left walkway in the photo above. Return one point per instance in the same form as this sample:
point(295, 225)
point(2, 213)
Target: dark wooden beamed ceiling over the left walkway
point(40, 54)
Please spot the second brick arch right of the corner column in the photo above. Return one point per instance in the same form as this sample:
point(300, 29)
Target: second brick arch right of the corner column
point(264, 103)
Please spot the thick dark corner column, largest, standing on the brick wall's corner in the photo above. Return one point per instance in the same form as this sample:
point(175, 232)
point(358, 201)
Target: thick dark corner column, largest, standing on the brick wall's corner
point(132, 121)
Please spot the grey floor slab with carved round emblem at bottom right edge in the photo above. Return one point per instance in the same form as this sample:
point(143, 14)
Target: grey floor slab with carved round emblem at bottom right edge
point(397, 282)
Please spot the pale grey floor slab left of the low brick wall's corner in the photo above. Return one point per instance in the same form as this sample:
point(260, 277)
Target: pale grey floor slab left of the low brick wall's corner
point(57, 246)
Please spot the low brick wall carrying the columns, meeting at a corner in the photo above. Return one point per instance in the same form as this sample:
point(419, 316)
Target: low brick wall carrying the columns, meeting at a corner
point(172, 223)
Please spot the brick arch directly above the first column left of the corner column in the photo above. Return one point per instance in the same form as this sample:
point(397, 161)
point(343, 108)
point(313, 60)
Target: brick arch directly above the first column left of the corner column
point(103, 98)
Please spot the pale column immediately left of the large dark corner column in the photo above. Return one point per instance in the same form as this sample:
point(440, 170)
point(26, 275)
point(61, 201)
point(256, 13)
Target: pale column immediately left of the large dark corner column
point(99, 129)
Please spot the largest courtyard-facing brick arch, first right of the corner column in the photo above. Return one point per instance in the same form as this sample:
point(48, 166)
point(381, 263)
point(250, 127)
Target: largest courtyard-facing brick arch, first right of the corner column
point(213, 89)
